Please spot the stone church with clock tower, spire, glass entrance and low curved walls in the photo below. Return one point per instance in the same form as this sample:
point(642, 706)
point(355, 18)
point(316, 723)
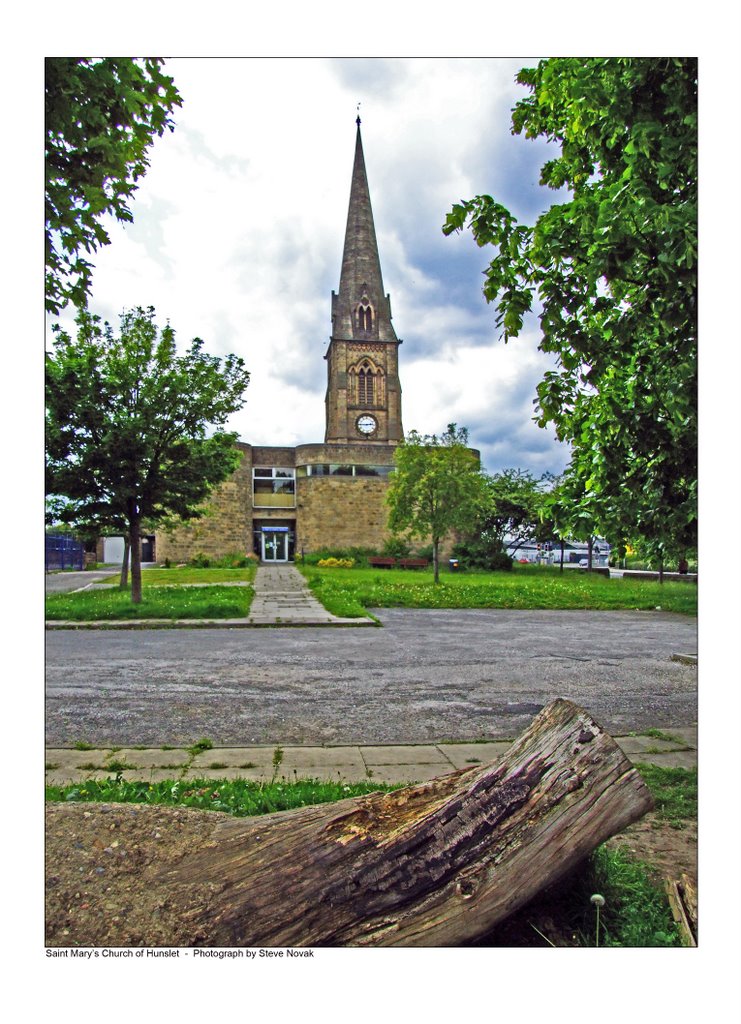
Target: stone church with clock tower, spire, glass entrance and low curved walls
point(283, 501)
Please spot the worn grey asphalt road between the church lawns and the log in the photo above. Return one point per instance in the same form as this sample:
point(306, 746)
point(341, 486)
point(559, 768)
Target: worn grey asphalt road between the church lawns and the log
point(427, 675)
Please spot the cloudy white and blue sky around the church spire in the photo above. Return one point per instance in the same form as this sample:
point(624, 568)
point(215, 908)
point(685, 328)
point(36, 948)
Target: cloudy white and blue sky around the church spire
point(239, 228)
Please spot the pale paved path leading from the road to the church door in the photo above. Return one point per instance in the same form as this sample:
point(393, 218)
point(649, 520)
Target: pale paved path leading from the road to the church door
point(283, 599)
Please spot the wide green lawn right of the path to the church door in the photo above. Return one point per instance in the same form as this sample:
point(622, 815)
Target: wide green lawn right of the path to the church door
point(351, 592)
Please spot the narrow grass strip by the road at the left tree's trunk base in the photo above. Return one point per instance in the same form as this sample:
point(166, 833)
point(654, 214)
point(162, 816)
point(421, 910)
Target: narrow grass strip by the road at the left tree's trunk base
point(157, 603)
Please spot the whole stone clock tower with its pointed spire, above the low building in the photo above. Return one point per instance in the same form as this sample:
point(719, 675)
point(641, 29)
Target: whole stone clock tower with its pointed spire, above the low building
point(364, 395)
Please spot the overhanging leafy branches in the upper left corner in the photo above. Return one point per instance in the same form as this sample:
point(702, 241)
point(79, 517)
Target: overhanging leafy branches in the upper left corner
point(102, 118)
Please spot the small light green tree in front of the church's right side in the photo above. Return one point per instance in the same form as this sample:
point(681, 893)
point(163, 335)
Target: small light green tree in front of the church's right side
point(438, 488)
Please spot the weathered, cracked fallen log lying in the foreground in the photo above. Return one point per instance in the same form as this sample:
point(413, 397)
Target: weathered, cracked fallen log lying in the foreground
point(435, 865)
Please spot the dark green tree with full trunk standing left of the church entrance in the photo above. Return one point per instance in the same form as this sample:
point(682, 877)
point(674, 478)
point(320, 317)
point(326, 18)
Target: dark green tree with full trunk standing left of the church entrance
point(126, 426)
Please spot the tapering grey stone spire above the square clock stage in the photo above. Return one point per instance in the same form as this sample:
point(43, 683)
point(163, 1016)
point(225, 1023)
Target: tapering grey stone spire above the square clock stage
point(361, 279)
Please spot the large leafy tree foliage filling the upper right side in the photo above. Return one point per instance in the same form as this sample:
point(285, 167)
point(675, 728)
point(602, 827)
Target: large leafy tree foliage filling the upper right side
point(616, 272)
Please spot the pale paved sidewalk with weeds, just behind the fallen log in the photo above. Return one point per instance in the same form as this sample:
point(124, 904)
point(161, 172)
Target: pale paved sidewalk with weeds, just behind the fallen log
point(412, 763)
